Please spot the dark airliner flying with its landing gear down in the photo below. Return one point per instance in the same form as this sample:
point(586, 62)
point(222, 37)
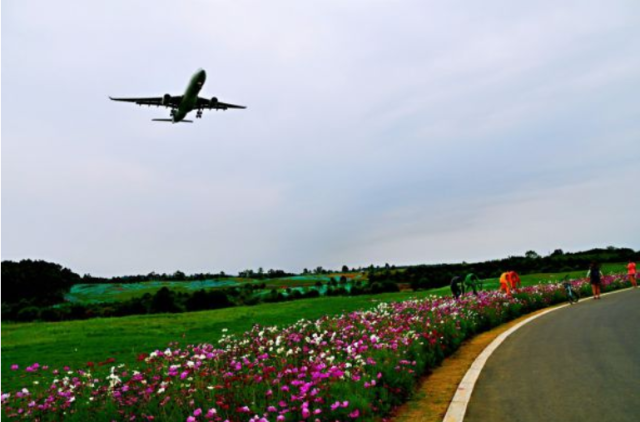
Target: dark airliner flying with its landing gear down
point(181, 105)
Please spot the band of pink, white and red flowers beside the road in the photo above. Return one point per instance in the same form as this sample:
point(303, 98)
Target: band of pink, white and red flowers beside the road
point(356, 366)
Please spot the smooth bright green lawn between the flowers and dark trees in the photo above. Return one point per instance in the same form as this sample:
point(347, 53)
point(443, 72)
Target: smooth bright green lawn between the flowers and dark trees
point(74, 343)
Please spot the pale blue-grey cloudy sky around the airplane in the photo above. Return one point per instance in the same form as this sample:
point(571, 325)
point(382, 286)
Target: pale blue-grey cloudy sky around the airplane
point(401, 132)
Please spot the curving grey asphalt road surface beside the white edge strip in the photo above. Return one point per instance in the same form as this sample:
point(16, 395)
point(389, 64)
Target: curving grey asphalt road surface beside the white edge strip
point(580, 363)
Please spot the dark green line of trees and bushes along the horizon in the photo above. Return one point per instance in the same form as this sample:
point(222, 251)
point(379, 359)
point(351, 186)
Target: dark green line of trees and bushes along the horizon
point(35, 290)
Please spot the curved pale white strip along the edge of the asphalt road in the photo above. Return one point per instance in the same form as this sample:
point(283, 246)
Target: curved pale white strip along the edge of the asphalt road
point(458, 406)
